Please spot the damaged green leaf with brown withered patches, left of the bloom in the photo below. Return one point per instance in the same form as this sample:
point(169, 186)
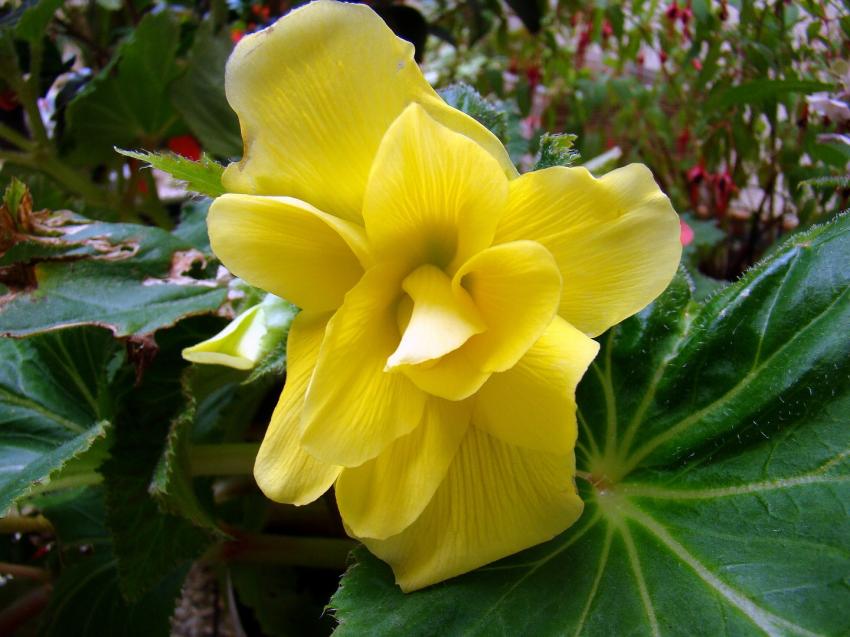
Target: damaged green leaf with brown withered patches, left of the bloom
point(129, 278)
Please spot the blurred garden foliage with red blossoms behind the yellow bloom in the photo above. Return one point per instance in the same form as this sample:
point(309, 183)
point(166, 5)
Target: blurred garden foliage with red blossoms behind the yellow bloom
point(739, 108)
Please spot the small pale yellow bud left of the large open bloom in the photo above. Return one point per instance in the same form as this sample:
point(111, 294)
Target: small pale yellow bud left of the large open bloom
point(247, 338)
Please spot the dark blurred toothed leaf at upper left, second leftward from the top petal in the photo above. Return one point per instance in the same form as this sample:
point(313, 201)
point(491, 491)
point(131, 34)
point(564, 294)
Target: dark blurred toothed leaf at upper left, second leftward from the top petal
point(128, 102)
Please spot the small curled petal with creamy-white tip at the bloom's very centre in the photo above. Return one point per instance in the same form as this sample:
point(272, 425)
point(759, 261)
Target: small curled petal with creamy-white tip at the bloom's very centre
point(443, 318)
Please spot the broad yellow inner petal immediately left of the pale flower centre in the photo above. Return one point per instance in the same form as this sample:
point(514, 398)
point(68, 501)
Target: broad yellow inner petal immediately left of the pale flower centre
point(355, 409)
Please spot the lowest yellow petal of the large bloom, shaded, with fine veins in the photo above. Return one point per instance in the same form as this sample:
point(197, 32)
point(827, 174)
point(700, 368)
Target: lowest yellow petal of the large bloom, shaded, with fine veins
point(496, 499)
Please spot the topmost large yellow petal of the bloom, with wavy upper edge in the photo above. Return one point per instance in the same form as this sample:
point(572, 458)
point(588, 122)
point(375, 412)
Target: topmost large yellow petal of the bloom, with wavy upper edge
point(315, 93)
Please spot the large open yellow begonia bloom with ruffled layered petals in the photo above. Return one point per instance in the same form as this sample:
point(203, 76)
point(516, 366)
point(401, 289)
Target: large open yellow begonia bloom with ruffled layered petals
point(447, 302)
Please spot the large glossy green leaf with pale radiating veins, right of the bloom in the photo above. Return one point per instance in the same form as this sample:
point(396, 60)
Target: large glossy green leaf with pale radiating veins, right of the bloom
point(715, 453)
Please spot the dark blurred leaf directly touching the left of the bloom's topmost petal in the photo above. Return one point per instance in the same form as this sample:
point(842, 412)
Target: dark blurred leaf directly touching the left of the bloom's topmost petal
point(199, 94)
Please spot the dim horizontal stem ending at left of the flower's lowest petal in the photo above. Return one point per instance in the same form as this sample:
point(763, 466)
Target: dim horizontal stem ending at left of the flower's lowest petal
point(314, 552)
